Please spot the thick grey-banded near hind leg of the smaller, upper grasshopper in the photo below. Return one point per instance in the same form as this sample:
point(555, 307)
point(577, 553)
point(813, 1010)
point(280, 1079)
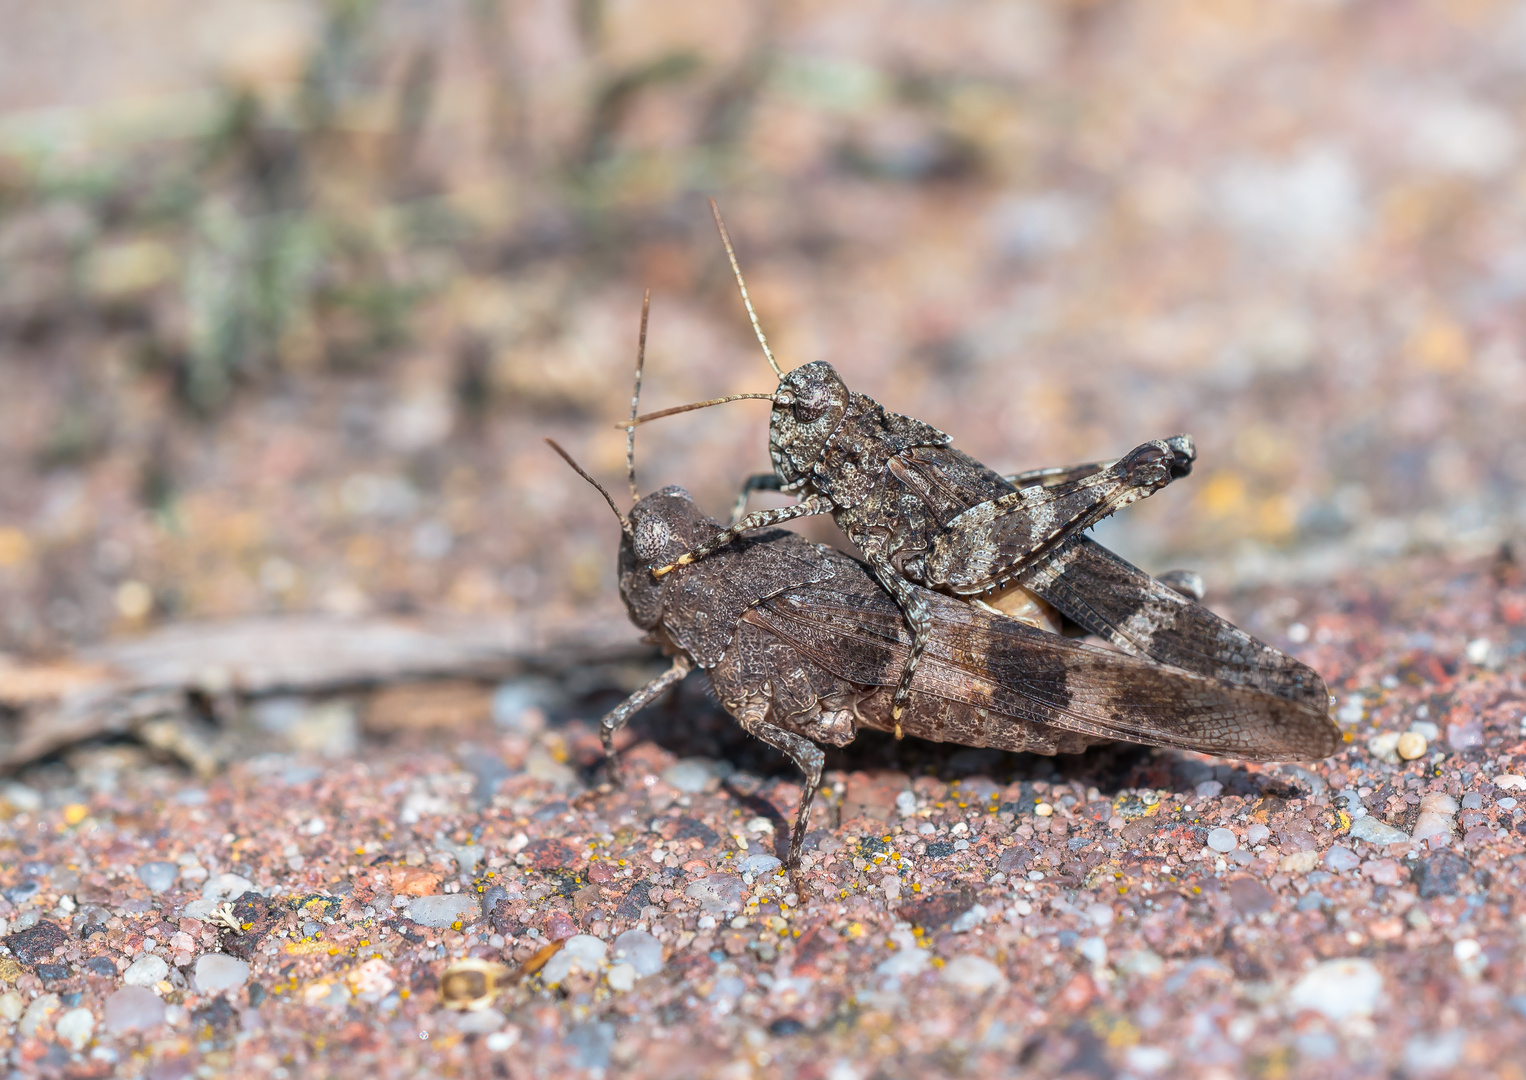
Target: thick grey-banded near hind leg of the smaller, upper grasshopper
point(991, 544)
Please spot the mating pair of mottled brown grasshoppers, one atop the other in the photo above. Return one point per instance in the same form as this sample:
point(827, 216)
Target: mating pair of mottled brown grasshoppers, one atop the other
point(805, 644)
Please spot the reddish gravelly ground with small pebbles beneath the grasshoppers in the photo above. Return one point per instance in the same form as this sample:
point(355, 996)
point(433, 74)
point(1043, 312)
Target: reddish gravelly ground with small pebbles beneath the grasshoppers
point(1124, 913)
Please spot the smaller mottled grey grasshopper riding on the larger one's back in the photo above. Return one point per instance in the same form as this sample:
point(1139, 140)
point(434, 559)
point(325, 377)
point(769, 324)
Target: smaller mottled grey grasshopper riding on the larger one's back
point(922, 513)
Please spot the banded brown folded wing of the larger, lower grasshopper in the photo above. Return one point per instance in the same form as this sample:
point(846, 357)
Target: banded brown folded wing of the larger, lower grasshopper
point(987, 661)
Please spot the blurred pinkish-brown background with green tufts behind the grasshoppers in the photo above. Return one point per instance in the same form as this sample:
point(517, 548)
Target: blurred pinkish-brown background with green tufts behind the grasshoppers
point(292, 291)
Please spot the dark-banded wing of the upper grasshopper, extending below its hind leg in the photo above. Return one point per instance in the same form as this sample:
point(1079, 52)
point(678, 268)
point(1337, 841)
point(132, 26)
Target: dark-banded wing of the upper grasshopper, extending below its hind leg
point(1116, 600)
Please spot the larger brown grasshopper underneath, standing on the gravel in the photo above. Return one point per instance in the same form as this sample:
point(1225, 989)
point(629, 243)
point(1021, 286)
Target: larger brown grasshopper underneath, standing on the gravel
point(803, 646)
